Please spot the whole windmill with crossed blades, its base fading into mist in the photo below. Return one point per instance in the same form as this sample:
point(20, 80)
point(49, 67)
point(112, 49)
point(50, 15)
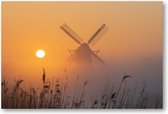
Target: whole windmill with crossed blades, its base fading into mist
point(83, 54)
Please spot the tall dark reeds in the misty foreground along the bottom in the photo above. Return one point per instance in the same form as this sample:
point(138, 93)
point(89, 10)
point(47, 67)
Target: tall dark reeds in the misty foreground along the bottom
point(54, 94)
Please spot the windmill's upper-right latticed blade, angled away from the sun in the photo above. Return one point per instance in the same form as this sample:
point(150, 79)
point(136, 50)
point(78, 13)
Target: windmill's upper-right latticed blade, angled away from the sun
point(98, 34)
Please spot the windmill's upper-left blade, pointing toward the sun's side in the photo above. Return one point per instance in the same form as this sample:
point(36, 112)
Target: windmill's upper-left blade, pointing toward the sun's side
point(71, 33)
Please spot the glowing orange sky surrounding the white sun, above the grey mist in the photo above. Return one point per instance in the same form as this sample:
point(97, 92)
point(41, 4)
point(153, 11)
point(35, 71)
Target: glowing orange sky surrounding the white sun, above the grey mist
point(135, 33)
